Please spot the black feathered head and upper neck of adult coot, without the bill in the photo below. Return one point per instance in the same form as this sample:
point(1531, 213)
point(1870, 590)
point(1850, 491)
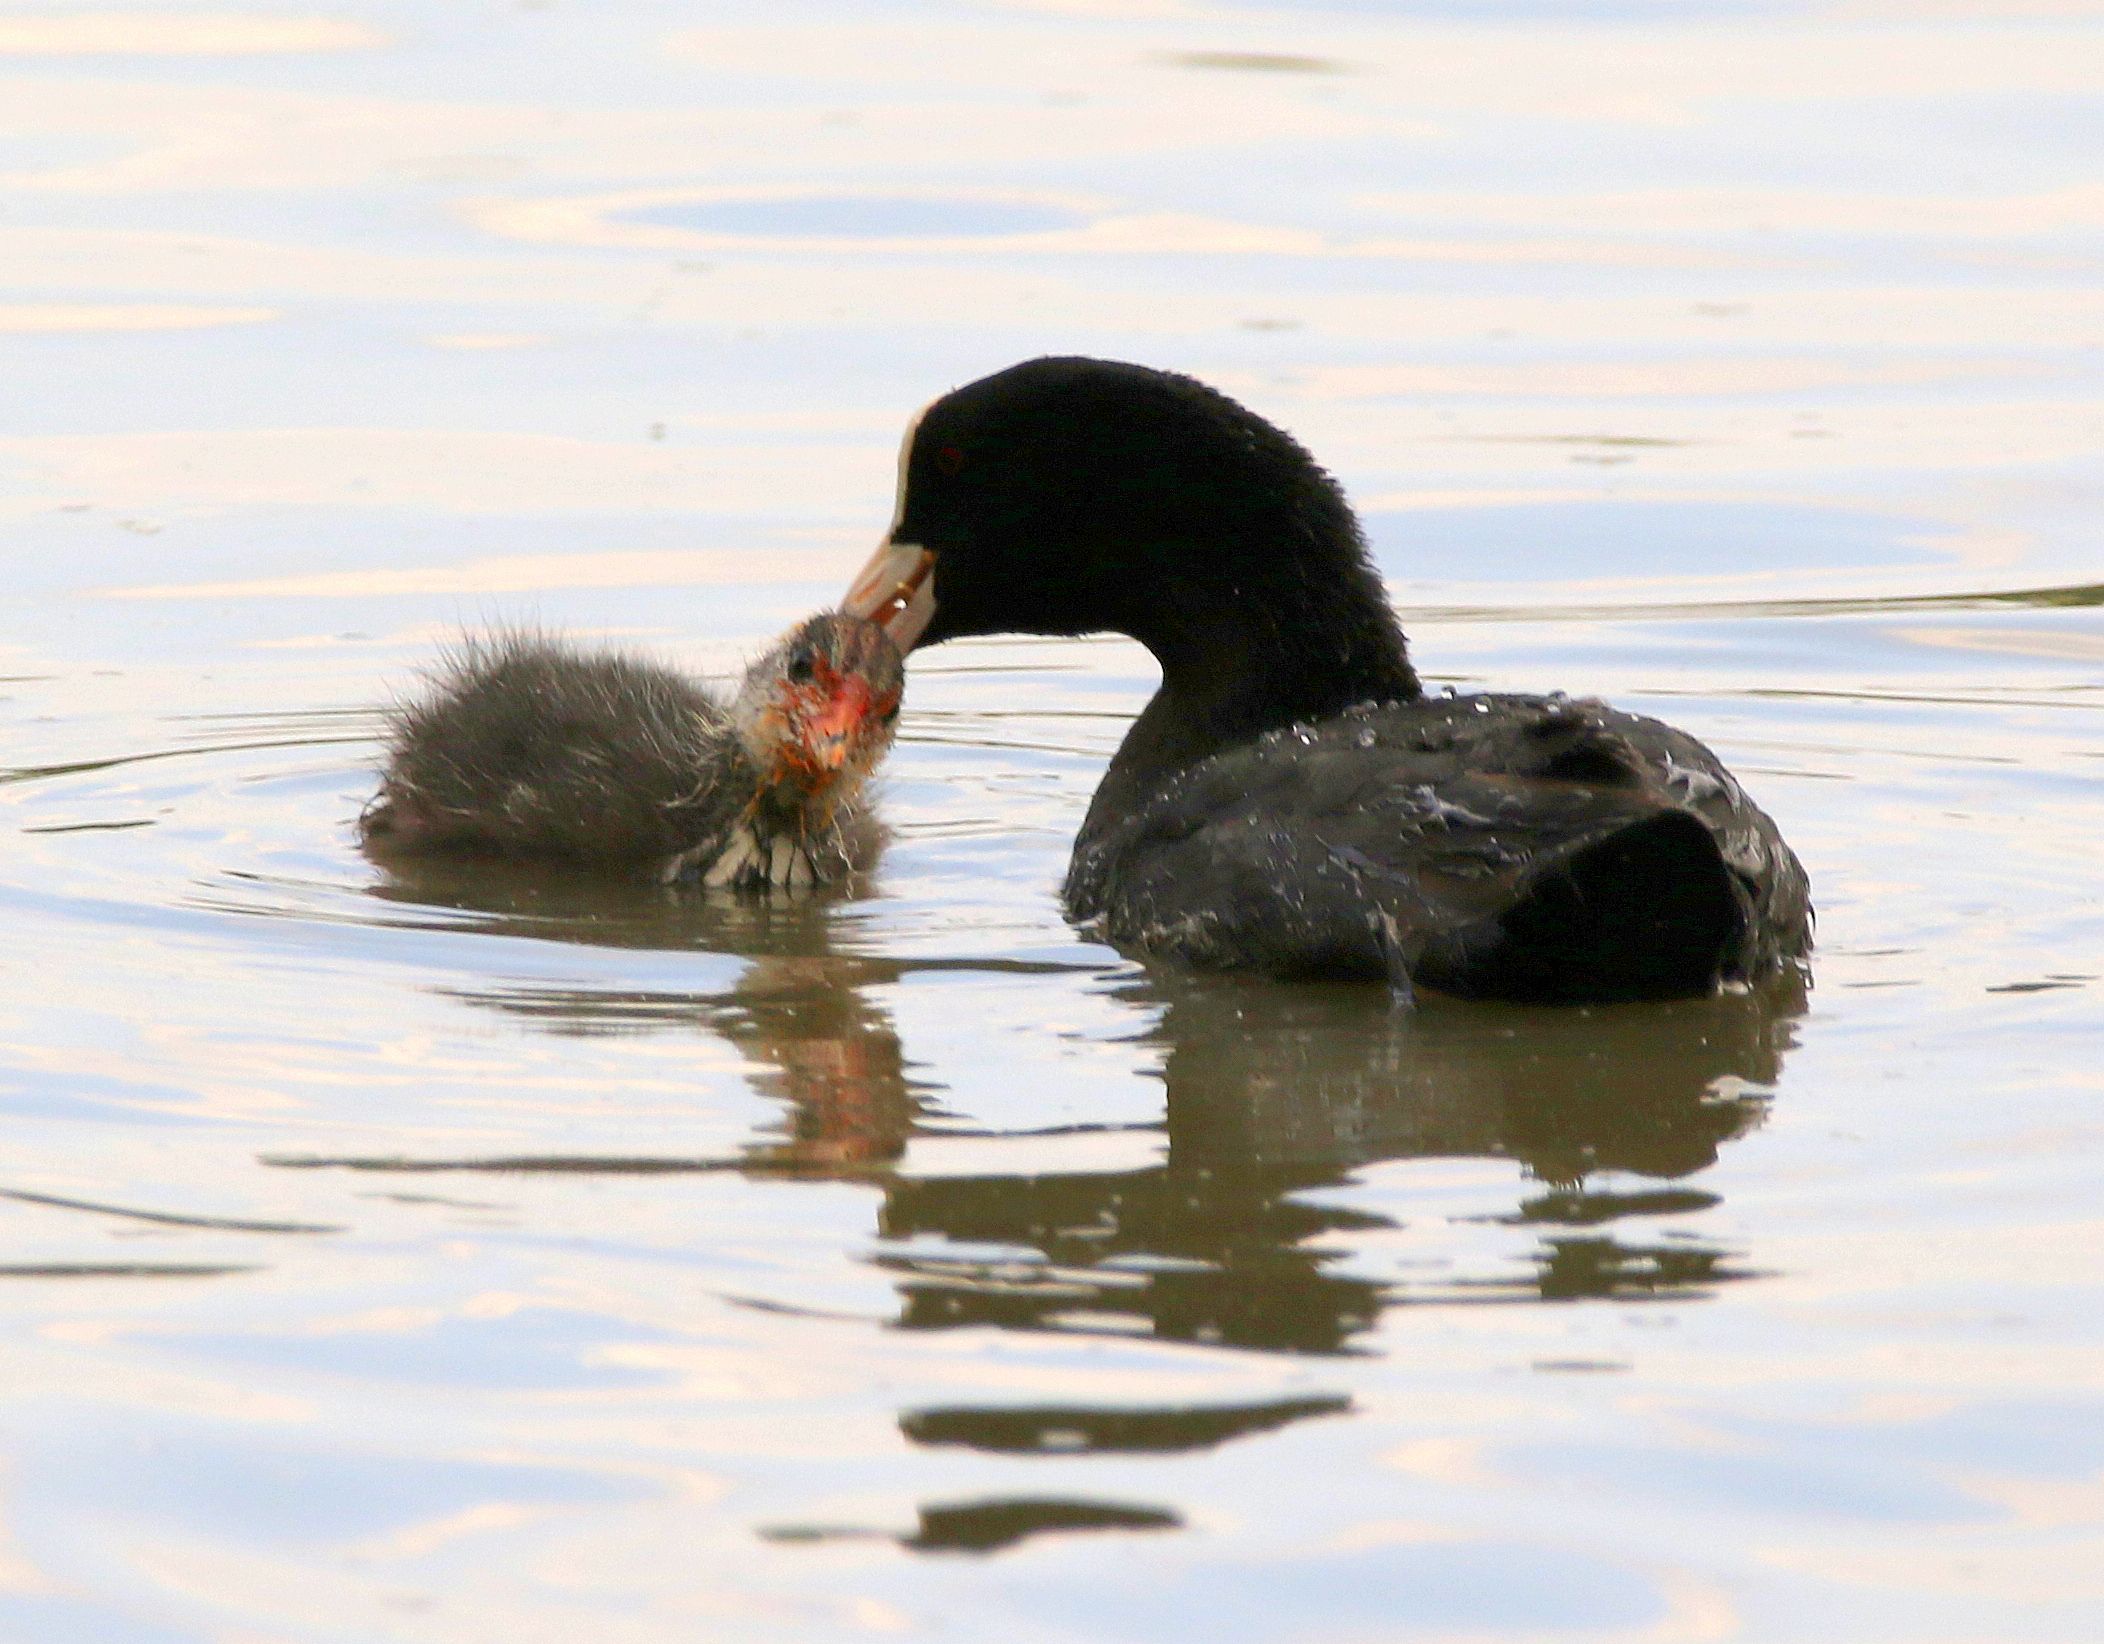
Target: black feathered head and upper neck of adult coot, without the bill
point(1074, 496)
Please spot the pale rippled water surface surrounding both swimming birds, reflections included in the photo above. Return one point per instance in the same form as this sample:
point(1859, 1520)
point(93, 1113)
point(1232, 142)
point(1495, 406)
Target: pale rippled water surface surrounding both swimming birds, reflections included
point(483, 1258)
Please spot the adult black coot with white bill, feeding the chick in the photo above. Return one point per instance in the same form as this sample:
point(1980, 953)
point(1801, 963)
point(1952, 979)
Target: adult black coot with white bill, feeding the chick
point(1291, 801)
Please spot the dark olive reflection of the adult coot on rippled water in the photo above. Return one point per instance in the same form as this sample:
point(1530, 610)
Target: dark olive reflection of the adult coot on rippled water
point(1280, 1091)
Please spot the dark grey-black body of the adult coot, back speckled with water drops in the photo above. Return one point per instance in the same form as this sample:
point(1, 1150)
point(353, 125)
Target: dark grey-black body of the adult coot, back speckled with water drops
point(1495, 847)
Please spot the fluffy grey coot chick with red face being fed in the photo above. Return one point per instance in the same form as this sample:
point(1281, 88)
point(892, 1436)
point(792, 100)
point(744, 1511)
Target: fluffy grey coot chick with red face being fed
point(527, 748)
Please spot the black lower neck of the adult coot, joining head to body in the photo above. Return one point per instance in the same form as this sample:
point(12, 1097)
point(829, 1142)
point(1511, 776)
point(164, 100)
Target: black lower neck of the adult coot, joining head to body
point(1284, 645)
